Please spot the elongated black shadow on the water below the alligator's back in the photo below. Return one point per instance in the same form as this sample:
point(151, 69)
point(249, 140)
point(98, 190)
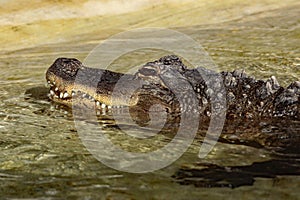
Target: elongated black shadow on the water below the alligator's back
point(236, 176)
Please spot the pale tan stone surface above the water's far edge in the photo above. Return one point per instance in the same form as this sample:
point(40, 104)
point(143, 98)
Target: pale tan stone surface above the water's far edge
point(26, 24)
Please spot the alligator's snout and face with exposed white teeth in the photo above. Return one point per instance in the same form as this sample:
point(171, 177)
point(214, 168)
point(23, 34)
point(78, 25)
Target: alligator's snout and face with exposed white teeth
point(69, 78)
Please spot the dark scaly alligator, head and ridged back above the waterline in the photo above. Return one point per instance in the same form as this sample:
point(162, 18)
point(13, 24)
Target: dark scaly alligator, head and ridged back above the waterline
point(172, 84)
